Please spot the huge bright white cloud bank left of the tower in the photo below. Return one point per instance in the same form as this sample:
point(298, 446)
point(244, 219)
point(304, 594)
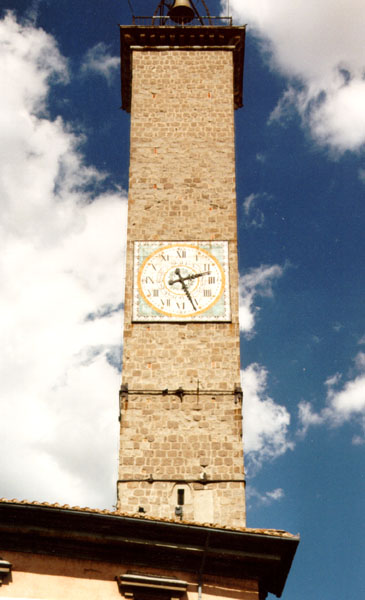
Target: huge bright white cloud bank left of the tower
point(61, 271)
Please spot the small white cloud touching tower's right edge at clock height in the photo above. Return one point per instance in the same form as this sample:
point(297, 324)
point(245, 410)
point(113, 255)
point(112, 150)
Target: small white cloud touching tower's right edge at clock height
point(257, 282)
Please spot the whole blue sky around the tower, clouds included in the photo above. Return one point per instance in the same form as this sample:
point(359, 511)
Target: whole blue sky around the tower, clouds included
point(300, 192)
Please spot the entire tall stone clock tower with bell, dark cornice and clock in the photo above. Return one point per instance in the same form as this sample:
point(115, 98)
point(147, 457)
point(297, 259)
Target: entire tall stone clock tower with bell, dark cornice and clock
point(180, 402)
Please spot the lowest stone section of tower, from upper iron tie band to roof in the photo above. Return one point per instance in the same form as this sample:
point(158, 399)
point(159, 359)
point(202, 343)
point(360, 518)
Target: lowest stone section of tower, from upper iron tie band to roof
point(191, 444)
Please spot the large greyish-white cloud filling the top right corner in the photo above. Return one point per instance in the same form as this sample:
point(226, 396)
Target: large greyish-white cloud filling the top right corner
point(318, 46)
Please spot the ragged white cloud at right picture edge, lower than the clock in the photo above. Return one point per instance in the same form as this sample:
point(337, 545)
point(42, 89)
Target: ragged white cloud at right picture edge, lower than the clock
point(343, 404)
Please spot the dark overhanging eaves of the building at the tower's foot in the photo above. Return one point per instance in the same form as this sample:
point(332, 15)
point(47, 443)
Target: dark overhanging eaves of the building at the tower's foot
point(115, 538)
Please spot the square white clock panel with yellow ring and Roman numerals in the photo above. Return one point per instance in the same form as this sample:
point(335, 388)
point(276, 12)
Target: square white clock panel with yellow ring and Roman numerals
point(181, 281)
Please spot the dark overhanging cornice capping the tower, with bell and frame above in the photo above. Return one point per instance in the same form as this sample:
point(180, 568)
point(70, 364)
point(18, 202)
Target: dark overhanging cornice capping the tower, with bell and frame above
point(177, 25)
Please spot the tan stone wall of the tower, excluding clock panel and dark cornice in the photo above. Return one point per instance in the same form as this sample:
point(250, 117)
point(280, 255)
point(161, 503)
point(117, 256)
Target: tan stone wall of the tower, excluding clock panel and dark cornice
point(182, 188)
